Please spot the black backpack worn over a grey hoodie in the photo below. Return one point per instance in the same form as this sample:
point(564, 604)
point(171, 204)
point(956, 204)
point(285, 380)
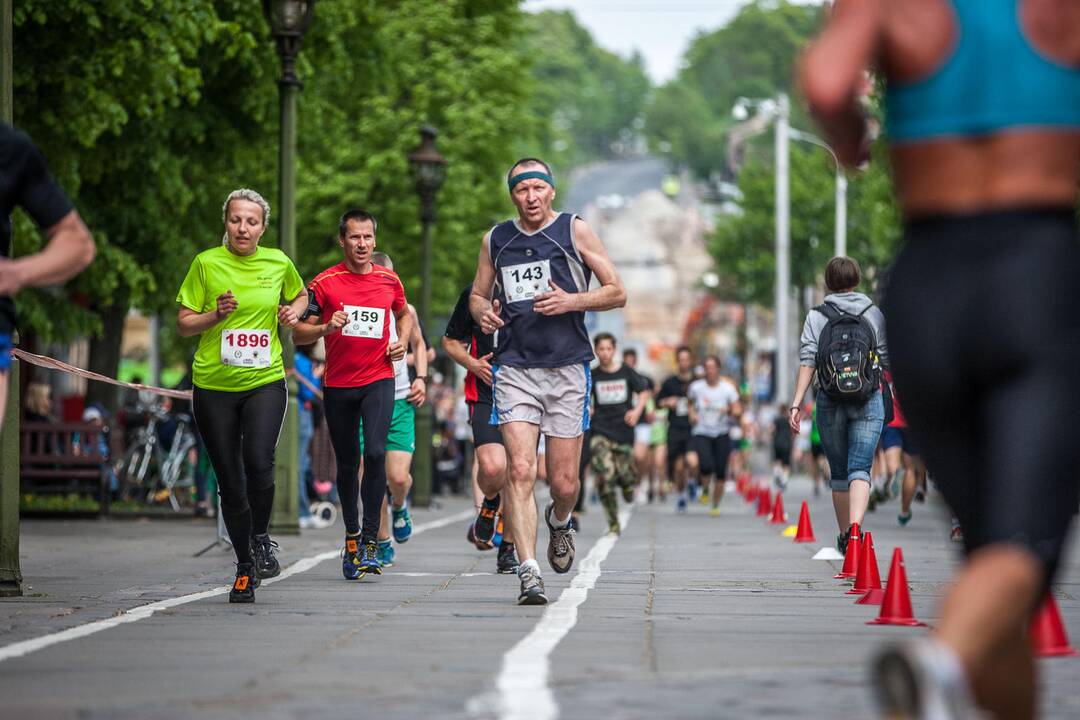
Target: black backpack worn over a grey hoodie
point(847, 362)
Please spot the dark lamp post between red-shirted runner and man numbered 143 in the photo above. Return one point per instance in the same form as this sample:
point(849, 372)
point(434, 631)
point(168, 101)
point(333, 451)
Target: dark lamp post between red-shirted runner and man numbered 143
point(429, 171)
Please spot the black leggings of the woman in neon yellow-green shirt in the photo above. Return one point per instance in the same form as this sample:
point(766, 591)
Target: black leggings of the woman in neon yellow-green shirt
point(240, 432)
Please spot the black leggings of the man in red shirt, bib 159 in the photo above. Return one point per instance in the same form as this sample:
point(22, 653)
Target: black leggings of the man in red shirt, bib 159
point(345, 407)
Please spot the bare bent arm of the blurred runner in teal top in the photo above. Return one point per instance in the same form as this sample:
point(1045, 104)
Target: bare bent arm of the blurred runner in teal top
point(832, 74)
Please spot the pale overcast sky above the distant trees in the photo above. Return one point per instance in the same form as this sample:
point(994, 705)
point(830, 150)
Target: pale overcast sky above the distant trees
point(660, 30)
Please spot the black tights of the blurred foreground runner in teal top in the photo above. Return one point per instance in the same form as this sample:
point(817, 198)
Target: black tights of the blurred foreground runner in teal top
point(983, 318)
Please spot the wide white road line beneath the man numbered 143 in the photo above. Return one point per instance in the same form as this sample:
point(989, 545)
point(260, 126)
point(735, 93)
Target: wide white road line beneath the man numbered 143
point(522, 690)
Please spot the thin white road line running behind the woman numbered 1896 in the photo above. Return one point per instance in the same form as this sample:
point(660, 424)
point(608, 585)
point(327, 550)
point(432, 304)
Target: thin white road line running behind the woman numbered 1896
point(142, 613)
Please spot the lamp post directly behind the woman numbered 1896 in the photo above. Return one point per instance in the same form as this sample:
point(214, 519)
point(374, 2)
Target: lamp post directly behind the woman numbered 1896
point(289, 21)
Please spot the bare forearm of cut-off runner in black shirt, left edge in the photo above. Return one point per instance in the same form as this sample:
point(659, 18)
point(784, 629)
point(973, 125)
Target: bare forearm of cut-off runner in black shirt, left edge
point(71, 249)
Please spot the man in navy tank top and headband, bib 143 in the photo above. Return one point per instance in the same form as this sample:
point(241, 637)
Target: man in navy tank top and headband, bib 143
point(532, 293)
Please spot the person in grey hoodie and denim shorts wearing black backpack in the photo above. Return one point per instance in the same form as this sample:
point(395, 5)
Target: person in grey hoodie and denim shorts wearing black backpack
point(844, 345)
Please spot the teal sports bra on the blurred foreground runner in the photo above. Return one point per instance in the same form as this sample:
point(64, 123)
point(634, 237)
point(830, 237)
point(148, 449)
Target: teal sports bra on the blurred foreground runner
point(995, 80)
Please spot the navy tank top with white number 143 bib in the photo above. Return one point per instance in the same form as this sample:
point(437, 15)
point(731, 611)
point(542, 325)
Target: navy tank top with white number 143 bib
point(523, 265)
